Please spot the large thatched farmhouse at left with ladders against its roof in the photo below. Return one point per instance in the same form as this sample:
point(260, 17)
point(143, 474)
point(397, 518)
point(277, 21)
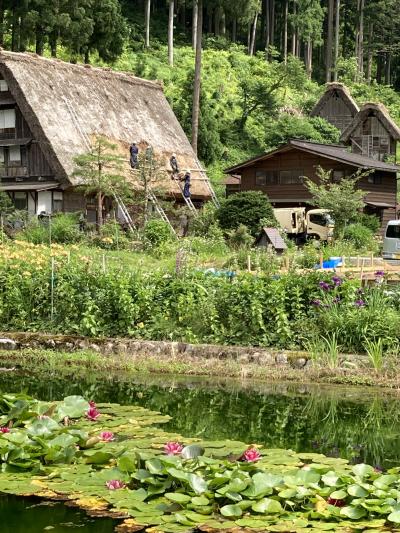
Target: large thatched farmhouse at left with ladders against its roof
point(50, 109)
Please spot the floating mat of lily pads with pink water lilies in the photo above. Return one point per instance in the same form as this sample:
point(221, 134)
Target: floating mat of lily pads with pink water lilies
point(89, 454)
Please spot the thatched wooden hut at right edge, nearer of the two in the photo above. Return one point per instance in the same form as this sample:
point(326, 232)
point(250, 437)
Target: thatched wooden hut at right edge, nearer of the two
point(372, 132)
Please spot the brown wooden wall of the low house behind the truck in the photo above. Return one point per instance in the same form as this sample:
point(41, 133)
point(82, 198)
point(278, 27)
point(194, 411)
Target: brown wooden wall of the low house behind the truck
point(307, 164)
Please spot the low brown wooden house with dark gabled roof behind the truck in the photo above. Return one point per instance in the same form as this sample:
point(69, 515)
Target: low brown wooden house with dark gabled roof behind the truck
point(280, 175)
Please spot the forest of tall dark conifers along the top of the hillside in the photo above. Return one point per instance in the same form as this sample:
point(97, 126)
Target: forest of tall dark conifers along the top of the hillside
point(323, 33)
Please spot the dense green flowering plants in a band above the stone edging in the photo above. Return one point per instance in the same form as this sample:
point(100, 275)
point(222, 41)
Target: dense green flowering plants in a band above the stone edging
point(84, 297)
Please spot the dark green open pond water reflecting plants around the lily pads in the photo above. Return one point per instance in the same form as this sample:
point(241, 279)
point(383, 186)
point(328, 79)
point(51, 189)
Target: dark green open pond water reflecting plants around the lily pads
point(358, 424)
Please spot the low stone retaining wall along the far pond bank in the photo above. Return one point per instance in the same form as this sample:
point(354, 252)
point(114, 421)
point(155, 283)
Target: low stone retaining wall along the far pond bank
point(128, 348)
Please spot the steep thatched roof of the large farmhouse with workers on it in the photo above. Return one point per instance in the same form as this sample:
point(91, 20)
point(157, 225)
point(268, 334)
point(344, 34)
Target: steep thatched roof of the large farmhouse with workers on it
point(66, 104)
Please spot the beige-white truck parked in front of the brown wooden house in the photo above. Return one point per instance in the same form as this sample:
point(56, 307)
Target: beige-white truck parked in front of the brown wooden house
point(301, 225)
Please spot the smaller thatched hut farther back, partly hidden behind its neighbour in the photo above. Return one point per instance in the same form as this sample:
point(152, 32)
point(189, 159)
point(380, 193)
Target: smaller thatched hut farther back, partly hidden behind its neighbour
point(336, 106)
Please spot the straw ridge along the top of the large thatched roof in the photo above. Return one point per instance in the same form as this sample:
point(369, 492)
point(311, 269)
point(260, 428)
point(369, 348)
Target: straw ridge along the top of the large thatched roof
point(7, 56)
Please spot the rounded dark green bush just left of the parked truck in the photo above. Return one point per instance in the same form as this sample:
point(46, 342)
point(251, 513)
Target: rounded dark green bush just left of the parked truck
point(247, 208)
